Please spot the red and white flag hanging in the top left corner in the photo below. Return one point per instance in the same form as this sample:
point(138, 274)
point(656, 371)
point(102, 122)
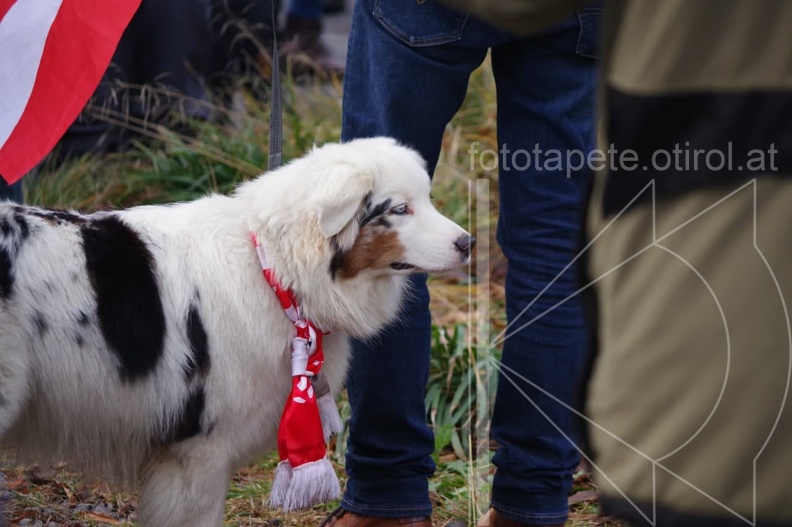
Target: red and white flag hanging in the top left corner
point(53, 54)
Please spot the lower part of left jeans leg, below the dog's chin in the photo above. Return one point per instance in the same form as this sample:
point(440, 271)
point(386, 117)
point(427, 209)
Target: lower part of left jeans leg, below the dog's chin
point(390, 445)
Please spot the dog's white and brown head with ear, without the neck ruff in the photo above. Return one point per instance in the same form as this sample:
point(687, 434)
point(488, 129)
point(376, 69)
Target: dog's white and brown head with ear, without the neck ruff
point(381, 219)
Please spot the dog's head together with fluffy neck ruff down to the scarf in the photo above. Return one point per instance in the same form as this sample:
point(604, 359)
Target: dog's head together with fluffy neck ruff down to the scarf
point(344, 224)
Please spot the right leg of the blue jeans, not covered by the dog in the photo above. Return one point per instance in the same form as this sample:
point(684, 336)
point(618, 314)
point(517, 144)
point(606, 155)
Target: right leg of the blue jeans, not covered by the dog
point(546, 100)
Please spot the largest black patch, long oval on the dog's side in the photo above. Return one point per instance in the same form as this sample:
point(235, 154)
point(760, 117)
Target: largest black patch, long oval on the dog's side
point(128, 304)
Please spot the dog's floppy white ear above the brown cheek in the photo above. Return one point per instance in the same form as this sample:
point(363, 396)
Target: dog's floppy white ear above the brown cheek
point(347, 200)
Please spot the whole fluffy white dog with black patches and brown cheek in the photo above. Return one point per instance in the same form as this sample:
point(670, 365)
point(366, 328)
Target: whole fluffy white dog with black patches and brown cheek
point(144, 344)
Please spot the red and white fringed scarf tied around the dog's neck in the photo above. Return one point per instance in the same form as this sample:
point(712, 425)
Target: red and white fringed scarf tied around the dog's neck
point(304, 476)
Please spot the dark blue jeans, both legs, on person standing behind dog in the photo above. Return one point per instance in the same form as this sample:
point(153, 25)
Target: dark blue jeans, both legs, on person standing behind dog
point(407, 73)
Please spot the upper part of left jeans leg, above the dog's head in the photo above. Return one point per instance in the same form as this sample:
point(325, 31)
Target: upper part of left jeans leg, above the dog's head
point(407, 92)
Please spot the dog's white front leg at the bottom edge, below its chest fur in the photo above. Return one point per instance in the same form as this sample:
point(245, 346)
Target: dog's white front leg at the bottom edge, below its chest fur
point(184, 487)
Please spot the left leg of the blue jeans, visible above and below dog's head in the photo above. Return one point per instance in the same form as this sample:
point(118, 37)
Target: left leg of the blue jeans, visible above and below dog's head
point(410, 93)
